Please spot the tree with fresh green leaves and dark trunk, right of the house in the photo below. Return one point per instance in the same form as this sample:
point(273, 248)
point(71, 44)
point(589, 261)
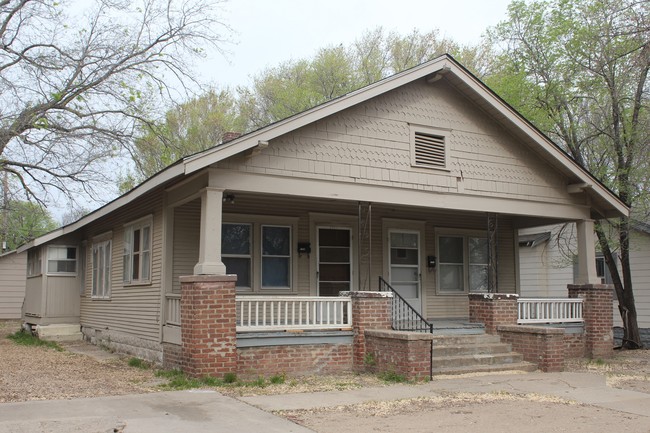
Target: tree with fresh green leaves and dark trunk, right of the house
point(579, 71)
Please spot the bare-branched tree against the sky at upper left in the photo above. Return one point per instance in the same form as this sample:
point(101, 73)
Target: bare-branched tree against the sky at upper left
point(74, 85)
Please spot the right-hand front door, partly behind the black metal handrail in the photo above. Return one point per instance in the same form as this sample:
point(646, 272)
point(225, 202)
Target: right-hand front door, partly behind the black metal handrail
point(404, 265)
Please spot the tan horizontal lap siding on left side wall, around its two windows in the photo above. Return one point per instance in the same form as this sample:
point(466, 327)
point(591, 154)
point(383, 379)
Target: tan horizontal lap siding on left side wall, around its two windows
point(131, 309)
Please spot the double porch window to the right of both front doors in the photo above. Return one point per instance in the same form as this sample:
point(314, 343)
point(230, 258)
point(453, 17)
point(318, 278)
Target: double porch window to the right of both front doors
point(462, 264)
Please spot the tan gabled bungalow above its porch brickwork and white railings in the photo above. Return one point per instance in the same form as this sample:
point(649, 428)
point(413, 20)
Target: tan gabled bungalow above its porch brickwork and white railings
point(423, 178)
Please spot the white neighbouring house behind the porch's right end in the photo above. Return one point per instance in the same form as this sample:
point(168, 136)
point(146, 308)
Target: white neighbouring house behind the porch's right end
point(547, 266)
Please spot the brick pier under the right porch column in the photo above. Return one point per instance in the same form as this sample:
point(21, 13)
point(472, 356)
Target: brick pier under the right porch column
point(597, 313)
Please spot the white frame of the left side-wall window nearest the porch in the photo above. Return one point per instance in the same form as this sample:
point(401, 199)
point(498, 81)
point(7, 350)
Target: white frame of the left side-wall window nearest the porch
point(128, 254)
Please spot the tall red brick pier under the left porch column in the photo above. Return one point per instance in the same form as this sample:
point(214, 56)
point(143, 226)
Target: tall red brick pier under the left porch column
point(208, 325)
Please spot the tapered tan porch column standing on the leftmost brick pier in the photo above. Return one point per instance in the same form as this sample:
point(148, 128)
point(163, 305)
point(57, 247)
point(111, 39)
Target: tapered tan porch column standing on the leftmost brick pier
point(210, 242)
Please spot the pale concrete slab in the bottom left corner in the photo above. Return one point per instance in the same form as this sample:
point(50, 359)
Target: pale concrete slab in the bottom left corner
point(179, 411)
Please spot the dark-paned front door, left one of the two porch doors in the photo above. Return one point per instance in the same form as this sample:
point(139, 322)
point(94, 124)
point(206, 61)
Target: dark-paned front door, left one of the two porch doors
point(334, 273)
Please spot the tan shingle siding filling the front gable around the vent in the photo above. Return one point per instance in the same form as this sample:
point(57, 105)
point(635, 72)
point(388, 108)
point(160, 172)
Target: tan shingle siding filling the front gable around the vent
point(370, 144)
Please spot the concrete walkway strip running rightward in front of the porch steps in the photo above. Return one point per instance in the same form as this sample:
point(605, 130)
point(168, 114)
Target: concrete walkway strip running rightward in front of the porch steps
point(583, 388)
